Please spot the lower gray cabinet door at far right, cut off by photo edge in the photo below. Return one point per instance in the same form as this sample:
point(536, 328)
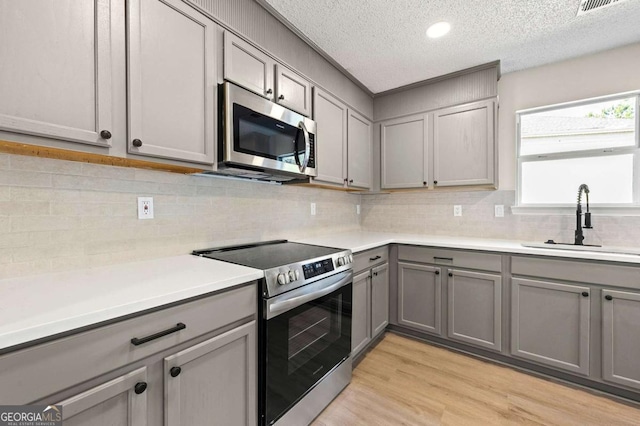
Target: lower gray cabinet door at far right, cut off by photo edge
point(620, 338)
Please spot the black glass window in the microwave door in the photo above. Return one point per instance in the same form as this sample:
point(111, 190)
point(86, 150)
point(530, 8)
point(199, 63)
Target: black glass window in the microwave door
point(263, 136)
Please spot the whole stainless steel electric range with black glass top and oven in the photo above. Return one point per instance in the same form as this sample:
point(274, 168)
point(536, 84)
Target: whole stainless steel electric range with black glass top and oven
point(304, 325)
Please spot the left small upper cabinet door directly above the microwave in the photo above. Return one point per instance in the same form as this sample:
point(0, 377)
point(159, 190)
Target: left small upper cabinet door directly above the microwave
point(247, 66)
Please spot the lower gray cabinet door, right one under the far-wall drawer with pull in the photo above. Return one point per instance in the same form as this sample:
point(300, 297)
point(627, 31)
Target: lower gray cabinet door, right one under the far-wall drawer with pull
point(475, 308)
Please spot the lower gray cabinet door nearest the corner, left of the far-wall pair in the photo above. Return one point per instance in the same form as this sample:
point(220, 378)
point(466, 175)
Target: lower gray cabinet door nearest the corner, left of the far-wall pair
point(419, 297)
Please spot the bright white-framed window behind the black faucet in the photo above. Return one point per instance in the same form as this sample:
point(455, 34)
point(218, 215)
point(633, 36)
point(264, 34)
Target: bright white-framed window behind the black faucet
point(594, 141)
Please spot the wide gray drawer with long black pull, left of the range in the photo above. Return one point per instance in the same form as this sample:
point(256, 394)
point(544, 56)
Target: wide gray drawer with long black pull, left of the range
point(68, 361)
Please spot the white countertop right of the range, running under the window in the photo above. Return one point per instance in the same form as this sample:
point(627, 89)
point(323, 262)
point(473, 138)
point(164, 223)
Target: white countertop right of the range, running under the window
point(360, 241)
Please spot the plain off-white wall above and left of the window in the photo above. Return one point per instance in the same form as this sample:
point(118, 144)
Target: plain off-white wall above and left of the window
point(601, 74)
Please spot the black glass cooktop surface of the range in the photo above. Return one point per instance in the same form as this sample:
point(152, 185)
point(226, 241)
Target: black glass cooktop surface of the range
point(267, 255)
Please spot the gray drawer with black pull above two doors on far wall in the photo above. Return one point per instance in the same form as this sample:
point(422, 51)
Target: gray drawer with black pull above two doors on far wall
point(454, 258)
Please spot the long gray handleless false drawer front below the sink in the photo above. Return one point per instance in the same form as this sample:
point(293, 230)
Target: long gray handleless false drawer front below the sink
point(582, 272)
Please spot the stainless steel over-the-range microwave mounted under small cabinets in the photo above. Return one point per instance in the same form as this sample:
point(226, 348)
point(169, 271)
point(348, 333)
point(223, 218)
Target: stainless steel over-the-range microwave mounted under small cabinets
point(262, 140)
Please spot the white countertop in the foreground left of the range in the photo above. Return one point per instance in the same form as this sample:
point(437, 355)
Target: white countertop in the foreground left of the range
point(39, 306)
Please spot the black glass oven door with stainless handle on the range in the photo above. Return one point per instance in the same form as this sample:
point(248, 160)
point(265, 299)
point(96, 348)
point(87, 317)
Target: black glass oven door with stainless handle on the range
point(304, 338)
